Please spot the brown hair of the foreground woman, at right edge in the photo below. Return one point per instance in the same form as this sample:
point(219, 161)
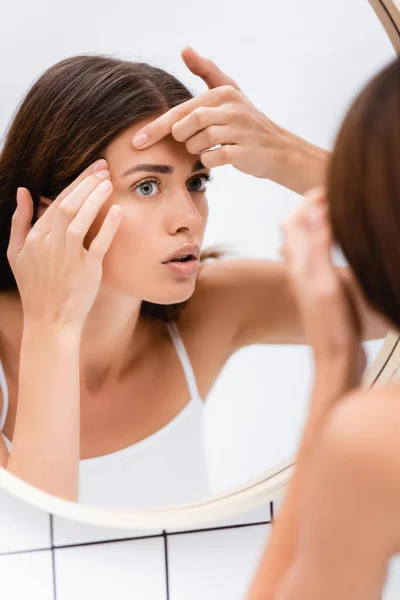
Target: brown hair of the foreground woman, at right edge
point(363, 190)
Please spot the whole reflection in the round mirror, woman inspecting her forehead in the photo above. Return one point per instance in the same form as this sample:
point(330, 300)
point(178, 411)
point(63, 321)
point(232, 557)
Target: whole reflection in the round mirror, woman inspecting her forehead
point(157, 357)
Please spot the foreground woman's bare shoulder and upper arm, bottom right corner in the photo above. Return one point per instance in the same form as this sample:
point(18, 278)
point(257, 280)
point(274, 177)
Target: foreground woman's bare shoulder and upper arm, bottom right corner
point(350, 508)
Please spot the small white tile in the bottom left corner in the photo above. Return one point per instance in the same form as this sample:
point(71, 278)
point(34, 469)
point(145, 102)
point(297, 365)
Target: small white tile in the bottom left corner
point(28, 575)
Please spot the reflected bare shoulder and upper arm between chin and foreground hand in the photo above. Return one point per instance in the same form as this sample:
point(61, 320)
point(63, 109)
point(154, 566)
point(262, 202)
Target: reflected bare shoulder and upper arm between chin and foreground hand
point(248, 300)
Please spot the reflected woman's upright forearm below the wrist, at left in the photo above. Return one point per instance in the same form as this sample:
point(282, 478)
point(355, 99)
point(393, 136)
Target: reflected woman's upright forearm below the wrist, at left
point(45, 448)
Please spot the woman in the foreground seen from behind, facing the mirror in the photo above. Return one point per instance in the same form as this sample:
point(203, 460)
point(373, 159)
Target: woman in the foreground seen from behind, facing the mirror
point(340, 523)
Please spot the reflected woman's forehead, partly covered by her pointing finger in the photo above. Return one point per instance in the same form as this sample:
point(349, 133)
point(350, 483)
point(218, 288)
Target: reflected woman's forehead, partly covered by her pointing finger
point(121, 154)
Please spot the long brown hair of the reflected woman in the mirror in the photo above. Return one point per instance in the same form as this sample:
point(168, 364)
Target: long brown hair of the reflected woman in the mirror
point(66, 121)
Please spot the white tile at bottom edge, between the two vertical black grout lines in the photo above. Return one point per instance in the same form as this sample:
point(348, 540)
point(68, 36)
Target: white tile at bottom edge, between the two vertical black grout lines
point(122, 570)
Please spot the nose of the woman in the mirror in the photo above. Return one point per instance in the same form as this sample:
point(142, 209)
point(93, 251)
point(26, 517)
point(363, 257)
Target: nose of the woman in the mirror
point(185, 213)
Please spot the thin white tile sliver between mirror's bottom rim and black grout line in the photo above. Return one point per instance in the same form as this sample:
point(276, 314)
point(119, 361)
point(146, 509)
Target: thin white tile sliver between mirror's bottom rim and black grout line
point(66, 532)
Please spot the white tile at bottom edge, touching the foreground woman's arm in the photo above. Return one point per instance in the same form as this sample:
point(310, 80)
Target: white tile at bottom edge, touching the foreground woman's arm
point(215, 564)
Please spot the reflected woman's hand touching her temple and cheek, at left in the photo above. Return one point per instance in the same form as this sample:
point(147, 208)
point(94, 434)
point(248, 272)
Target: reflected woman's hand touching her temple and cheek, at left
point(57, 278)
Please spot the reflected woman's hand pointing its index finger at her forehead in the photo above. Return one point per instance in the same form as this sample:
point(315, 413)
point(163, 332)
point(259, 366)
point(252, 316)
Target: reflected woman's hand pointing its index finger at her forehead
point(222, 116)
